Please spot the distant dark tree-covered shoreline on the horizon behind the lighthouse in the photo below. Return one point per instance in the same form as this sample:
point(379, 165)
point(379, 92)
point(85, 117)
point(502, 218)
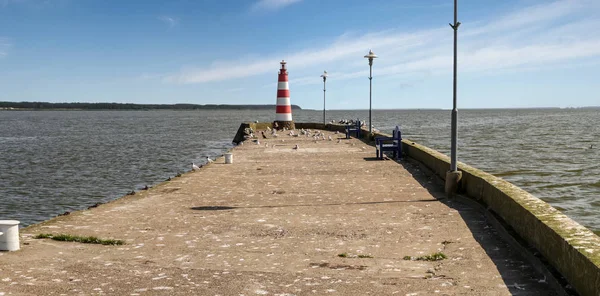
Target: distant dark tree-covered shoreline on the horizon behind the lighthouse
point(128, 106)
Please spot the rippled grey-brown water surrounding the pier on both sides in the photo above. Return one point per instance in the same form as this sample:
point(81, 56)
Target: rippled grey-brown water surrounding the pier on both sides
point(57, 161)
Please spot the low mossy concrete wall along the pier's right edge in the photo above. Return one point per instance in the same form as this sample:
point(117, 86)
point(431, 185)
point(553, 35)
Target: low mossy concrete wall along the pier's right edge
point(568, 246)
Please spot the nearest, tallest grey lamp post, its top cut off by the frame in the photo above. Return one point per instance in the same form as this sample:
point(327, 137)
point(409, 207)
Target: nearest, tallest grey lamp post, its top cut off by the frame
point(453, 176)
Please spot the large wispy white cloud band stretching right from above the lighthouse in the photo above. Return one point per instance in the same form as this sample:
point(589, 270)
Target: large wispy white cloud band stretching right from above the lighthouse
point(554, 33)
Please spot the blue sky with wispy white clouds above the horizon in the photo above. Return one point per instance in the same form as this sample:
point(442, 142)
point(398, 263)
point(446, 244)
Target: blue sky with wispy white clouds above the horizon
point(512, 53)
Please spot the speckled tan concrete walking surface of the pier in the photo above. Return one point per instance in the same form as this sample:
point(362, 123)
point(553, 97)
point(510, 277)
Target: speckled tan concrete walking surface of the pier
point(326, 218)
